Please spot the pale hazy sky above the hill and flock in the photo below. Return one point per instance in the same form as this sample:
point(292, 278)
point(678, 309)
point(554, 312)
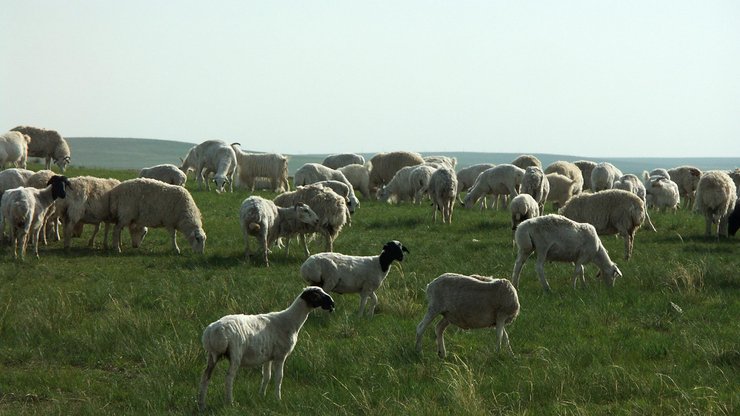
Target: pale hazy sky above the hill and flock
point(588, 78)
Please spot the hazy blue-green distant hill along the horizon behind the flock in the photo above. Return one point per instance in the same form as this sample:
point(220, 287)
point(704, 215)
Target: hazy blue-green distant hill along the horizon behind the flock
point(127, 153)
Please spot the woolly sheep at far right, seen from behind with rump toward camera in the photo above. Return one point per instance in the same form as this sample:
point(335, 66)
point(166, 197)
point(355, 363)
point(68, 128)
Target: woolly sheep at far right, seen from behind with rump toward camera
point(716, 195)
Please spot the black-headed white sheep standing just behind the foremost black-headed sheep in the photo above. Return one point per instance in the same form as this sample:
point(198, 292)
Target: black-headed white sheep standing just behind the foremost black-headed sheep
point(341, 273)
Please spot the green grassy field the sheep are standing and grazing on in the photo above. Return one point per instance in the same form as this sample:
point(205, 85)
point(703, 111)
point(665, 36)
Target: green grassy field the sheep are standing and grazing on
point(93, 332)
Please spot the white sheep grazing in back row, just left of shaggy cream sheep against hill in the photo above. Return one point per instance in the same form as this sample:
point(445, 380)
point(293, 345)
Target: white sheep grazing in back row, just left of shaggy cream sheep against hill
point(211, 156)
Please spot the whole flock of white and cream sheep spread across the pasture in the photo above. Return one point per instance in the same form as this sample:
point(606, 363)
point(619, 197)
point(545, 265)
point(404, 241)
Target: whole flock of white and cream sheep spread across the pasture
point(591, 199)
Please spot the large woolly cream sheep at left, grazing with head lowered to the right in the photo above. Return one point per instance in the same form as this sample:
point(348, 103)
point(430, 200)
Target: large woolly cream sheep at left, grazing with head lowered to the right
point(144, 202)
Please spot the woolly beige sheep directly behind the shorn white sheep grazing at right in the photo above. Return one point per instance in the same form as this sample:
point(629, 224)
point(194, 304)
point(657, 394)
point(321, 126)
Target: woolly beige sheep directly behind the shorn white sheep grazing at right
point(613, 211)
